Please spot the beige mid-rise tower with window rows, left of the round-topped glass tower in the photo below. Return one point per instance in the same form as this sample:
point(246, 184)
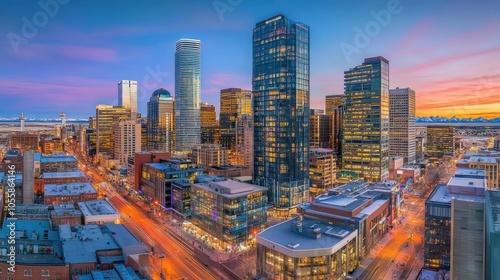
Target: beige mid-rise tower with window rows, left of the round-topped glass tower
point(127, 140)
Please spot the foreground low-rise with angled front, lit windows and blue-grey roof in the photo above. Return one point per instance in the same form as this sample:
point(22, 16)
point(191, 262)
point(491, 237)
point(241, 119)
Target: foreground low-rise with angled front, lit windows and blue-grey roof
point(303, 248)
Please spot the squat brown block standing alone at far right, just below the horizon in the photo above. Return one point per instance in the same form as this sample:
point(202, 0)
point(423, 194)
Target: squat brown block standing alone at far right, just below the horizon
point(440, 141)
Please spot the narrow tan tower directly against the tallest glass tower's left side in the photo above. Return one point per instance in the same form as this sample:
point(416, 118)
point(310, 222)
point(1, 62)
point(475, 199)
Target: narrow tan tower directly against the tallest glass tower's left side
point(244, 141)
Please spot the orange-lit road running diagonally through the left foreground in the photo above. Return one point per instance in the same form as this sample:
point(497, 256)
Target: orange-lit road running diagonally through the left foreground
point(179, 262)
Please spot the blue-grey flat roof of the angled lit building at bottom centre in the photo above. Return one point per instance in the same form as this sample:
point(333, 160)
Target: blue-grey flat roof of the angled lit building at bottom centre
point(281, 235)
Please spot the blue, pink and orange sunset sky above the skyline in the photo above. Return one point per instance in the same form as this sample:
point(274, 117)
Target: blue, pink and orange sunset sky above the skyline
point(69, 56)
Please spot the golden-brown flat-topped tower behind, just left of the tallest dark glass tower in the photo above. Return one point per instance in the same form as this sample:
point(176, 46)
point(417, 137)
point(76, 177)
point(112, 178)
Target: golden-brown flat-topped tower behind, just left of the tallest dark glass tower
point(234, 103)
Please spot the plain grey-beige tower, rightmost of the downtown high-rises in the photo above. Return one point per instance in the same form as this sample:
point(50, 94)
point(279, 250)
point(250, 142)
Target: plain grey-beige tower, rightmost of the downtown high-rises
point(402, 131)
